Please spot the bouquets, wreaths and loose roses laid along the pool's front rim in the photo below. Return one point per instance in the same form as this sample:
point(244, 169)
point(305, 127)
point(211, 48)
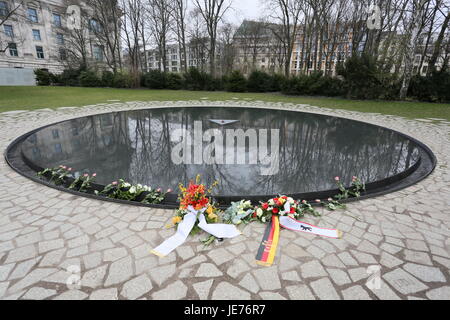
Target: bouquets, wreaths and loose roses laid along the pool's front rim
point(198, 196)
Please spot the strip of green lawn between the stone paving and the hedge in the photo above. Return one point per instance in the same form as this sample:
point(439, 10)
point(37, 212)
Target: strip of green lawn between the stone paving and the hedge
point(27, 98)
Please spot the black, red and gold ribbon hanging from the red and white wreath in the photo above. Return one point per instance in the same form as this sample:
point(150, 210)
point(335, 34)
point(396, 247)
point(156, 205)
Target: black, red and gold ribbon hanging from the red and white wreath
point(268, 248)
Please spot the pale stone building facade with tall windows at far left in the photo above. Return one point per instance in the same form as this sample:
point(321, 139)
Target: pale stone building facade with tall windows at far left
point(38, 34)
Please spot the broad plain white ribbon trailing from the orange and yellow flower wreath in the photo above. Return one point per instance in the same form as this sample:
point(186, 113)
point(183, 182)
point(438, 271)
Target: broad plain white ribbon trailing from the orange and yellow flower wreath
point(221, 231)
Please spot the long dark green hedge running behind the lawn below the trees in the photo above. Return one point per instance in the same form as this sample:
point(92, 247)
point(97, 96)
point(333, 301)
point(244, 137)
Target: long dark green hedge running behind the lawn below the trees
point(360, 77)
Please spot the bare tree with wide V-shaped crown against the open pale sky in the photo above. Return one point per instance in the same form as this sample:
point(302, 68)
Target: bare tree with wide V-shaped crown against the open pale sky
point(212, 12)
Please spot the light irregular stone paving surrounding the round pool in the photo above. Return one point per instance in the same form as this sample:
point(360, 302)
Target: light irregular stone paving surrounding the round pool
point(46, 235)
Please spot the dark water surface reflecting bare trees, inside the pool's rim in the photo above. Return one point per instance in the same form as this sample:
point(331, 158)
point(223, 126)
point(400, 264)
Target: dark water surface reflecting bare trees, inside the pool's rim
point(136, 146)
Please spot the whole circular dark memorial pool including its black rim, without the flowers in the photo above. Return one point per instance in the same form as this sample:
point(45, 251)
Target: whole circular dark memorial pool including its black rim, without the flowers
point(253, 153)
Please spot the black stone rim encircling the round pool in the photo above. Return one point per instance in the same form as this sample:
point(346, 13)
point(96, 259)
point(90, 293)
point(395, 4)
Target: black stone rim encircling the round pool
point(420, 171)
